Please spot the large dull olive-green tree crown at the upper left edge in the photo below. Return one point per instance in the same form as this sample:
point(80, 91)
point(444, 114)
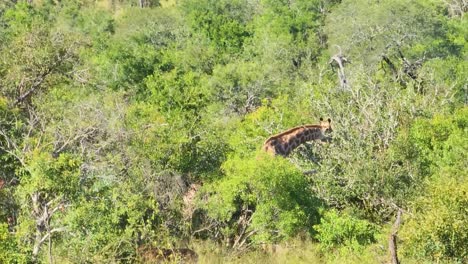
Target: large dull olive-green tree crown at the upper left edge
point(36, 56)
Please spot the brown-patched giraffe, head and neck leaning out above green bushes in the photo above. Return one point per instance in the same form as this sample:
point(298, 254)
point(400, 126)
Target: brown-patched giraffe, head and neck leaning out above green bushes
point(285, 142)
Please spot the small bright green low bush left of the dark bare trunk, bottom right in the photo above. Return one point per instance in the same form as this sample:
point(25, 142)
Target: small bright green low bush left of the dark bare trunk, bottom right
point(340, 229)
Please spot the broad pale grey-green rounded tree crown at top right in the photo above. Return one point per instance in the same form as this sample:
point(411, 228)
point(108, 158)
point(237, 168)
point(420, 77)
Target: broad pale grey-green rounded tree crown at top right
point(370, 30)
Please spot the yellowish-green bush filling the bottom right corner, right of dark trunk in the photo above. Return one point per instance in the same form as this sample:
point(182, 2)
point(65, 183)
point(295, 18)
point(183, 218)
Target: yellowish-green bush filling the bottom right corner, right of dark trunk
point(437, 229)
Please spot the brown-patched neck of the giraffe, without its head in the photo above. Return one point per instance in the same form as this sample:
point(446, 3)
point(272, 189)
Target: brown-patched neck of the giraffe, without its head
point(286, 142)
